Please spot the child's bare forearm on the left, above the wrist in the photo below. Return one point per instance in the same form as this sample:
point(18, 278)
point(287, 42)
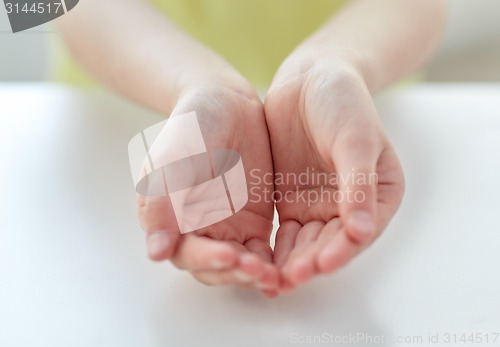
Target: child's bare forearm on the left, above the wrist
point(129, 47)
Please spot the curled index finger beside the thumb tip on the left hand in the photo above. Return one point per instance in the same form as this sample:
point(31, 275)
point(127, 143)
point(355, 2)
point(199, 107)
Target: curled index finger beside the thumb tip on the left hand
point(196, 253)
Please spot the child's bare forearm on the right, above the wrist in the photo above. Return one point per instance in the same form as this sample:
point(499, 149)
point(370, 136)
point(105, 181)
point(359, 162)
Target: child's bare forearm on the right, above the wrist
point(383, 39)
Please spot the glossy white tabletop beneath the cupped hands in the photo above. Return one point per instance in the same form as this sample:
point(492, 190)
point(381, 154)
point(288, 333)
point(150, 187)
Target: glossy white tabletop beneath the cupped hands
point(73, 269)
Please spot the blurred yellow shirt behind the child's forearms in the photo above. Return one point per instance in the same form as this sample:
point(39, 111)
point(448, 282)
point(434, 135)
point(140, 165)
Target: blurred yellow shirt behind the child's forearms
point(255, 36)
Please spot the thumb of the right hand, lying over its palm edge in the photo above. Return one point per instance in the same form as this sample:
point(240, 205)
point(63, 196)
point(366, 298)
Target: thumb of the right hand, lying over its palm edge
point(355, 157)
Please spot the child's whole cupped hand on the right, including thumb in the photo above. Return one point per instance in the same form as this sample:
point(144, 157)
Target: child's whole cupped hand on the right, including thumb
point(323, 123)
